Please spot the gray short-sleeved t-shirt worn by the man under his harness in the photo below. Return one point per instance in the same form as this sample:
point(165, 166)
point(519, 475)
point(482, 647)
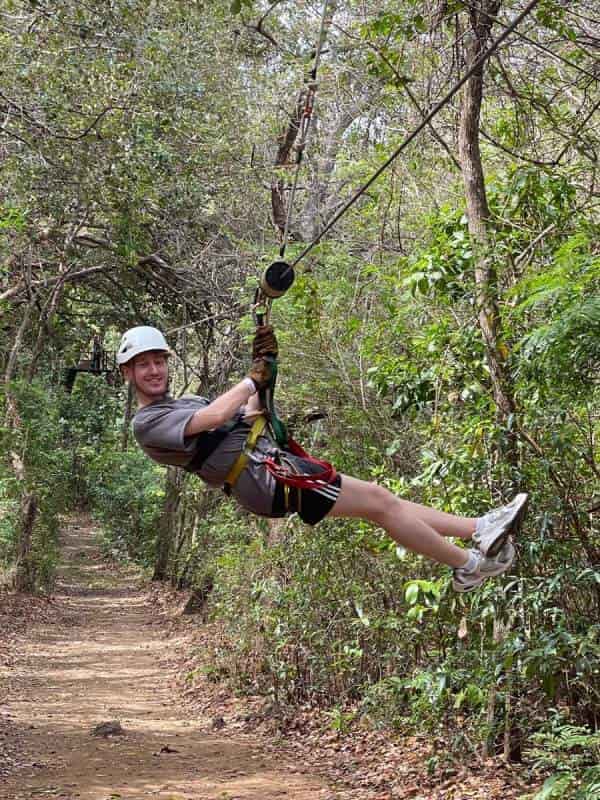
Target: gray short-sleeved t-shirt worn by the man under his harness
point(159, 430)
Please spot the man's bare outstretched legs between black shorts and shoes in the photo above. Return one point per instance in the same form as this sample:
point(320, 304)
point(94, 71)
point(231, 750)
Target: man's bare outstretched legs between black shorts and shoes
point(411, 525)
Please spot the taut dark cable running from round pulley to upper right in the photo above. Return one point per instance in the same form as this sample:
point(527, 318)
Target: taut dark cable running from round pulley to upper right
point(426, 120)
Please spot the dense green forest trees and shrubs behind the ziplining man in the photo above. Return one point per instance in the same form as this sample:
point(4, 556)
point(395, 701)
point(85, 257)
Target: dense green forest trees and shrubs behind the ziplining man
point(138, 144)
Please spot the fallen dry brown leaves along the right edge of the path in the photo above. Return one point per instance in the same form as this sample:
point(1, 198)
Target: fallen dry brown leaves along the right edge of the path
point(363, 764)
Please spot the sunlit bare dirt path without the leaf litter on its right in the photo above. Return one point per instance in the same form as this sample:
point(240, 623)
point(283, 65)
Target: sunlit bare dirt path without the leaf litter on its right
point(103, 657)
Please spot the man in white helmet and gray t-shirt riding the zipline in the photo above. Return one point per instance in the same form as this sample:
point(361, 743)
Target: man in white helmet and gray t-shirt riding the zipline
point(222, 443)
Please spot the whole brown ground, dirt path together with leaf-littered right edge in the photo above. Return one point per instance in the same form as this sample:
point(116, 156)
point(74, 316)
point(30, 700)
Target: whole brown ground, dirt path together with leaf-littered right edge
point(106, 646)
